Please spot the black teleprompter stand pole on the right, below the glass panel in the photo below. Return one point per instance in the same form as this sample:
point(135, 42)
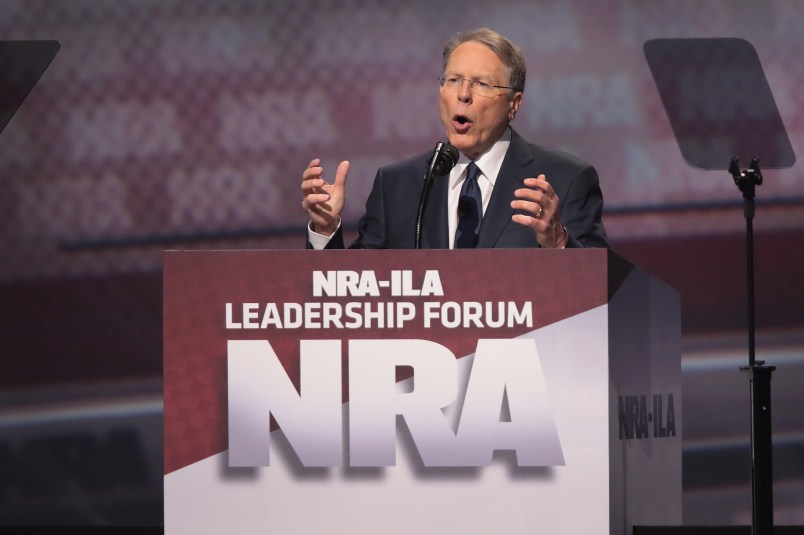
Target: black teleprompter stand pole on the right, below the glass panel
point(760, 375)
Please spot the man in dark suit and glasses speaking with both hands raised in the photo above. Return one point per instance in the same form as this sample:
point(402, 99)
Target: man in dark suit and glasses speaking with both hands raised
point(524, 195)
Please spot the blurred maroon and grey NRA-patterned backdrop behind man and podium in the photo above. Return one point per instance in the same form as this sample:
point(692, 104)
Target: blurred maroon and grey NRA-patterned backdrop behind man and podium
point(179, 124)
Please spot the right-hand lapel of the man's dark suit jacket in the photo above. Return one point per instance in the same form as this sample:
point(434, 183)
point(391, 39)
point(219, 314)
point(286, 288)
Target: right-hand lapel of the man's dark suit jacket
point(514, 170)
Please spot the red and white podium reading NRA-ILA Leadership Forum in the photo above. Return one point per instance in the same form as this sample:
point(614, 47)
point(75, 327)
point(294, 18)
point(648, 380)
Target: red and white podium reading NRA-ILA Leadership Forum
point(466, 391)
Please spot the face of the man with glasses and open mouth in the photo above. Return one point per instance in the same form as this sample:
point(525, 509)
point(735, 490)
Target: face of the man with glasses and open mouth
point(473, 123)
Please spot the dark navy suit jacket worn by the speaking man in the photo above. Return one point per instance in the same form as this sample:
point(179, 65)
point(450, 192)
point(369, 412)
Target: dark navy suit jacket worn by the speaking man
point(390, 218)
